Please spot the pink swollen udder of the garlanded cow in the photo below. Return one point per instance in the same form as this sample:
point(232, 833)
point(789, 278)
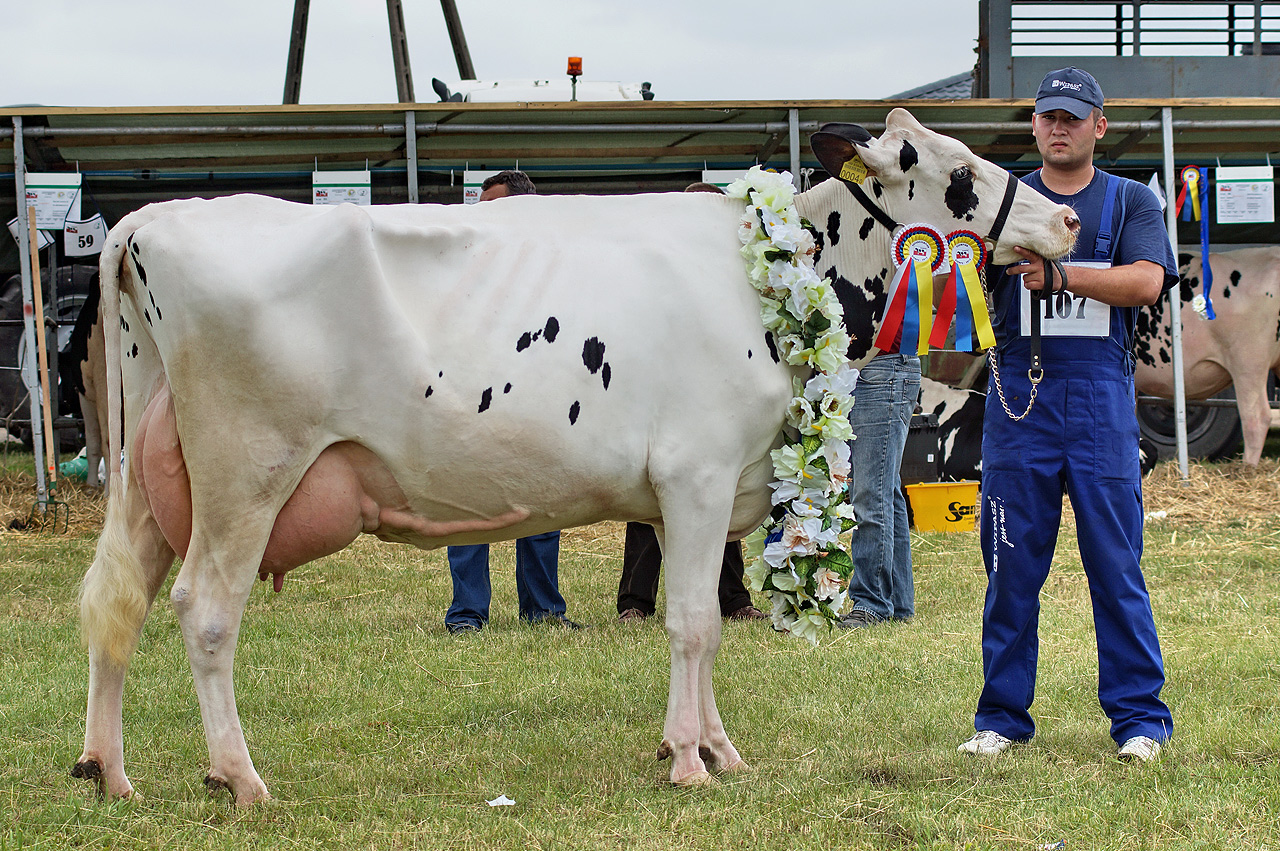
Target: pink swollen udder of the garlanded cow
point(346, 491)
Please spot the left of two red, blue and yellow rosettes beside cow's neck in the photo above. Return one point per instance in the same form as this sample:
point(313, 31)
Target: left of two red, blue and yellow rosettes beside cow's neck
point(918, 251)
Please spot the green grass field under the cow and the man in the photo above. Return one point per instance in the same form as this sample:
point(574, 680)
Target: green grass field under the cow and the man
point(377, 730)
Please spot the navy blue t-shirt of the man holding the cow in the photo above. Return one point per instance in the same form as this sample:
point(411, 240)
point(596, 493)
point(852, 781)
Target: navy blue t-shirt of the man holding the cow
point(1137, 234)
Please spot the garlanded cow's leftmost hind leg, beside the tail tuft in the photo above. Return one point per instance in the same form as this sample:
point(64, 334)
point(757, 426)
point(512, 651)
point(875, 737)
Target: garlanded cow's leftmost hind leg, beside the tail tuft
point(118, 591)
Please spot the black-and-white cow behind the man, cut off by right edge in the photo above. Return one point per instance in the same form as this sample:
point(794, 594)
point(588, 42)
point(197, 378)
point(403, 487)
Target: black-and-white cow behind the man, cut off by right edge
point(1240, 347)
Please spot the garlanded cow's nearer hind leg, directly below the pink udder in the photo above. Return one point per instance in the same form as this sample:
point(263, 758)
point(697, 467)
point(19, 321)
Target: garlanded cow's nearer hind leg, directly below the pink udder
point(209, 597)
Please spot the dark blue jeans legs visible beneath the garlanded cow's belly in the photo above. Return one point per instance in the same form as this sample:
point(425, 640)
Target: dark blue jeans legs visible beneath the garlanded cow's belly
point(537, 580)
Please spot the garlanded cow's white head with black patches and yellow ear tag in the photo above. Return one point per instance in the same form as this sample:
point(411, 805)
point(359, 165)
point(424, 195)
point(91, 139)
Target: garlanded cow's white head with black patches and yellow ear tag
point(915, 175)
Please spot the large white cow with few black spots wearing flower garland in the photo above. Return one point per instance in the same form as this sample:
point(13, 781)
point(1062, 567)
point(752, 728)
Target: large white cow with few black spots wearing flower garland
point(296, 376)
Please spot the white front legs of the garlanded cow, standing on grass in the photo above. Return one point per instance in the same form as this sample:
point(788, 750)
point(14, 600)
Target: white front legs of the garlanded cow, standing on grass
point(693, 539)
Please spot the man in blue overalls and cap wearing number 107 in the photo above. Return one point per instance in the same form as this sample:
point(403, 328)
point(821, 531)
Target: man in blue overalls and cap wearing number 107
point(1076, 432)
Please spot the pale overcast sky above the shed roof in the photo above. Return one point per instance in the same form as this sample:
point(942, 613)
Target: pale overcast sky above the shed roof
point(162, 53)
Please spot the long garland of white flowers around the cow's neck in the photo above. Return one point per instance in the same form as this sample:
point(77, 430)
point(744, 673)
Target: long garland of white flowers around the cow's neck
point(797, 556)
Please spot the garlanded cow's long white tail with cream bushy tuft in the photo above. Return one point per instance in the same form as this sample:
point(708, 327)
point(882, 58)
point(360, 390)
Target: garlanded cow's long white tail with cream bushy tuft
point(115, 593)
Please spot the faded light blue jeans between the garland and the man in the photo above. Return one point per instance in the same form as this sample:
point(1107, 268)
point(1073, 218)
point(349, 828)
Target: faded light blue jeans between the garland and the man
point(881, 548)
